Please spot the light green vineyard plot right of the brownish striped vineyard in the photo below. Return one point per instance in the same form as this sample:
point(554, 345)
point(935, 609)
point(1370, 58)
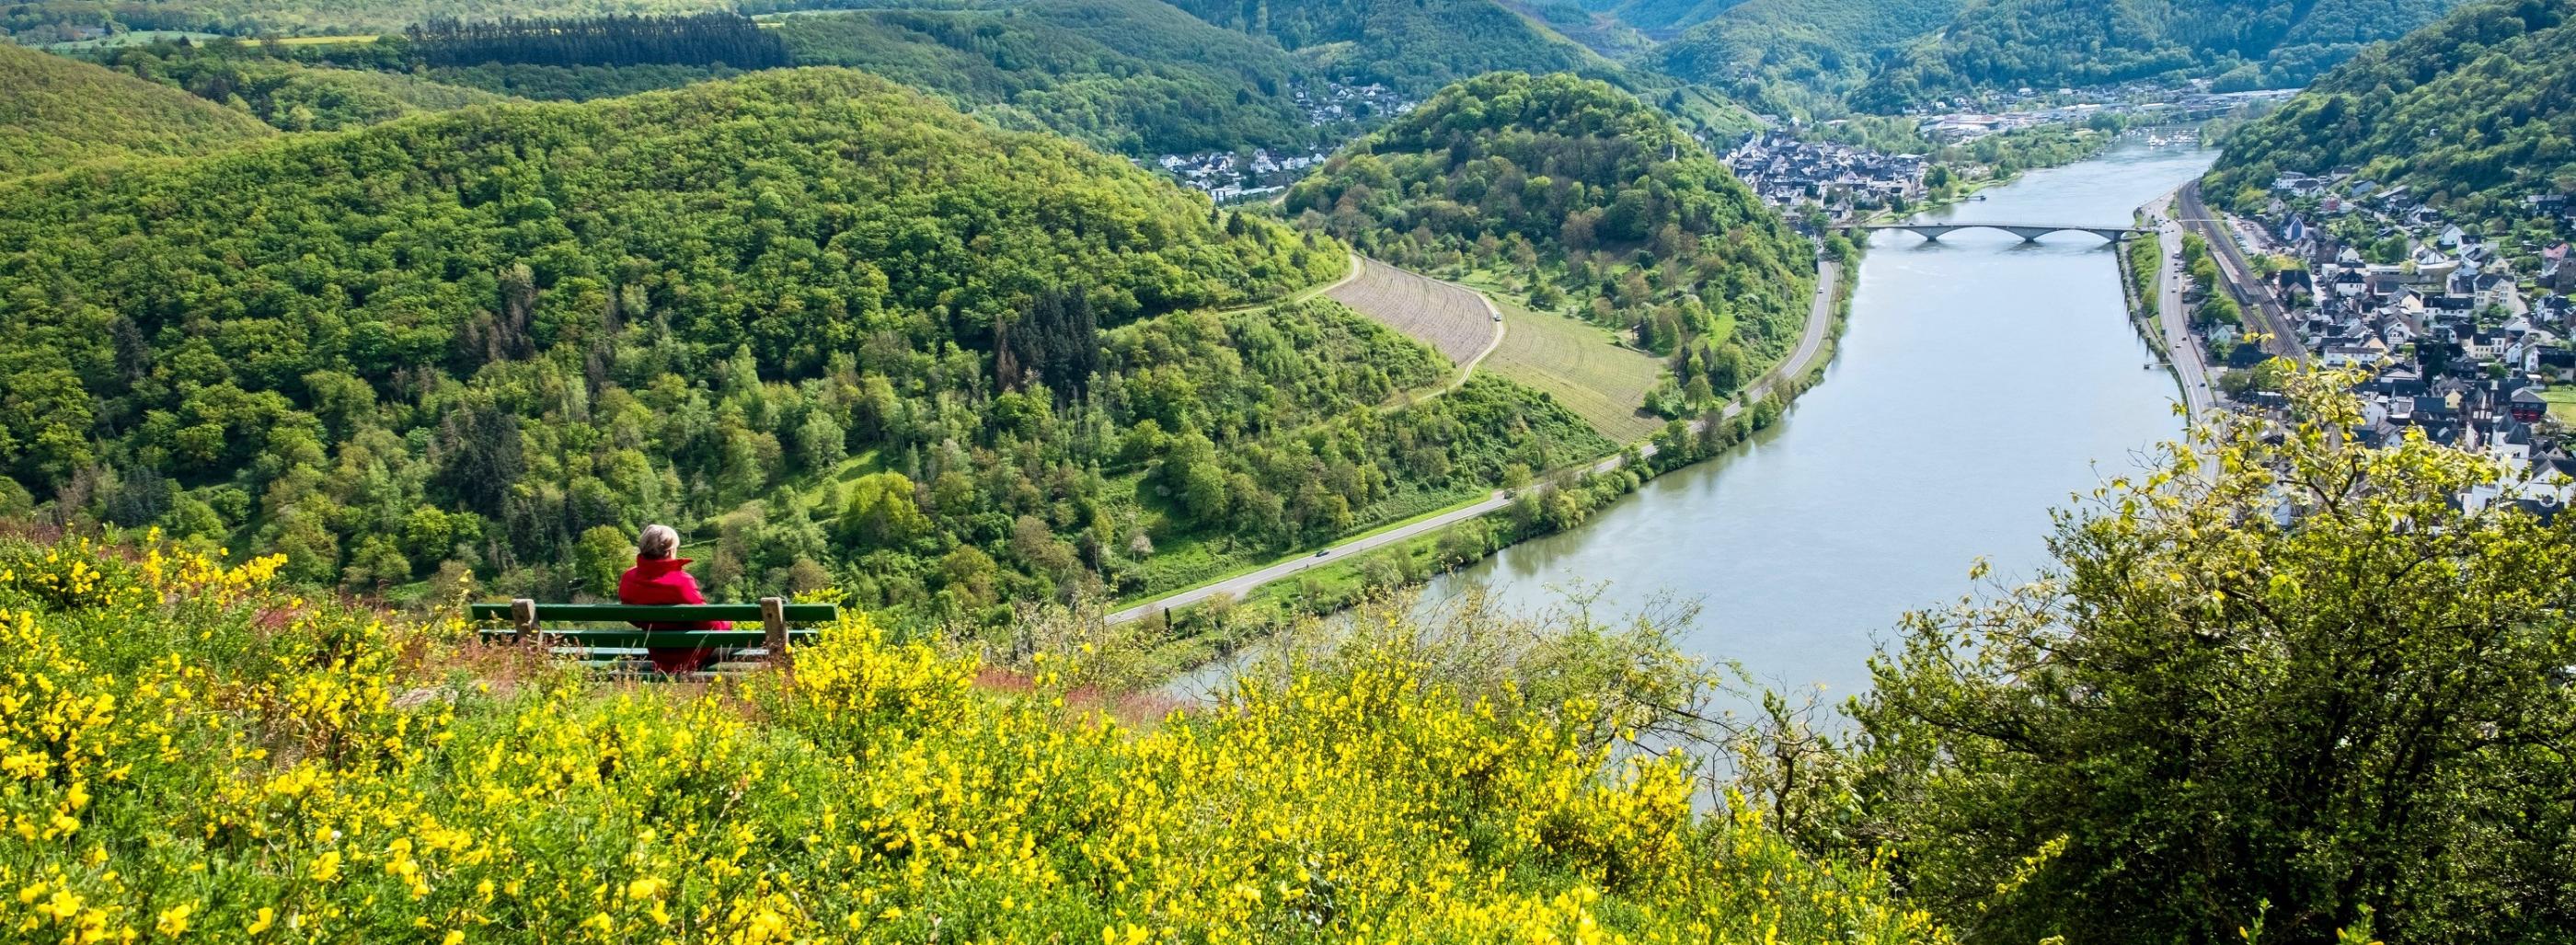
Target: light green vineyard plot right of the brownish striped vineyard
point(1583, 367)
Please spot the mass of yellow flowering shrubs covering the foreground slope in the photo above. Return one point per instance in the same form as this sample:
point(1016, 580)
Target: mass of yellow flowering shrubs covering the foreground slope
point(189, 753)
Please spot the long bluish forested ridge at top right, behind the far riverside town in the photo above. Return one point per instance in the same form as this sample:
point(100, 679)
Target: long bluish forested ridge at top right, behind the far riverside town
point(2093, 42)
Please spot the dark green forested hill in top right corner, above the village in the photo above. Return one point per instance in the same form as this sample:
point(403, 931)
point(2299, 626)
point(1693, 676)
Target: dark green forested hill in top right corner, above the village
point(2474, 115)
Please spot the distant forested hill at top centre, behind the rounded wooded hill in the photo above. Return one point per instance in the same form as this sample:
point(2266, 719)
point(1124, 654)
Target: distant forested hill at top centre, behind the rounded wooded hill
point(1413, 45)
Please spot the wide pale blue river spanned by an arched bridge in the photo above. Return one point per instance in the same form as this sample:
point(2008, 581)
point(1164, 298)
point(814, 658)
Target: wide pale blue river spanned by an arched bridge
point(1980, 385)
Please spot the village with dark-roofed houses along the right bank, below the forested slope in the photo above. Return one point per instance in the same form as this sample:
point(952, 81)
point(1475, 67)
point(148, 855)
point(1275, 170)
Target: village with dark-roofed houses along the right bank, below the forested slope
point(2461, 328)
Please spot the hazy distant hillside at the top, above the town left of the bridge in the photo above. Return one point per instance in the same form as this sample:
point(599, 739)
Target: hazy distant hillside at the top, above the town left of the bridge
point(1797, 58)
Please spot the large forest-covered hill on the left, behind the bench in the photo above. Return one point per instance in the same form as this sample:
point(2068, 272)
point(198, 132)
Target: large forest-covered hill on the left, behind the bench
point(836, 331)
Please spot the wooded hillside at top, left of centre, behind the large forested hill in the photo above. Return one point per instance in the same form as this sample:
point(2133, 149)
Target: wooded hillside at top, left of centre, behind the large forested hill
point(1127, 76)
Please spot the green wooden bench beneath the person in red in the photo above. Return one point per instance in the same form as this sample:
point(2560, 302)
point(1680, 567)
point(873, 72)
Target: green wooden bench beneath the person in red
point(607, 635)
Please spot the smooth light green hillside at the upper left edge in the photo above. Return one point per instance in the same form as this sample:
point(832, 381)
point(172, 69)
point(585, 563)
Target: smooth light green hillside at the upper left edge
point(61, 112)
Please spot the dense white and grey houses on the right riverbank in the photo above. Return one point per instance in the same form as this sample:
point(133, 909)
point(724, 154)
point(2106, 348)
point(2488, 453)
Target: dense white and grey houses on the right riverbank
point(2461, 341)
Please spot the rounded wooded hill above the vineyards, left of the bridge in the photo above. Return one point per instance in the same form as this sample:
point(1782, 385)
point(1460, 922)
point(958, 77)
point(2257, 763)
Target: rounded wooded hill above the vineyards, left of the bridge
point(1591, 202)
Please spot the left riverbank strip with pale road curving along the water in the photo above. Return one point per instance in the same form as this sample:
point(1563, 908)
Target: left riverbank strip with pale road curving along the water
point(1212, 622)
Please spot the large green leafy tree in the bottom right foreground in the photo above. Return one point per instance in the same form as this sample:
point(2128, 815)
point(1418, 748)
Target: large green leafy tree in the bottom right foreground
point(2286, 684)
